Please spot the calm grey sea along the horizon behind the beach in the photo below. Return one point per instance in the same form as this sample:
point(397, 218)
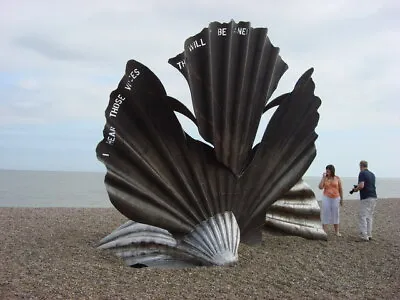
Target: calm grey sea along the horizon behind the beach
point(86, 189)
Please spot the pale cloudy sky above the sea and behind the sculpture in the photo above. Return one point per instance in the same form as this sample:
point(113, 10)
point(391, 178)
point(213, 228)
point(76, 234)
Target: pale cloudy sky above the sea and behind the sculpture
point(60, 60)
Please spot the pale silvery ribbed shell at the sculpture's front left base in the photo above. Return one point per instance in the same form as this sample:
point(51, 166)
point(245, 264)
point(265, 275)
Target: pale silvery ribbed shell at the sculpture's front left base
point(214, 241)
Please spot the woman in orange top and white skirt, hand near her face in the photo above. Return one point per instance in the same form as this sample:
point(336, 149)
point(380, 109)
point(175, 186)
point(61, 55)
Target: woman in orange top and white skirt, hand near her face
point(332, 196)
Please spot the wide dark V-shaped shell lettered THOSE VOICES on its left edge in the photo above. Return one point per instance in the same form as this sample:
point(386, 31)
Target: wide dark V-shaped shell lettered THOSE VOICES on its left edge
point(155, 169)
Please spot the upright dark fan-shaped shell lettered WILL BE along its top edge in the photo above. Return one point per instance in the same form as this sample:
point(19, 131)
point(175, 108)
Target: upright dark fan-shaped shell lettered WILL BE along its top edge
point(232, 70)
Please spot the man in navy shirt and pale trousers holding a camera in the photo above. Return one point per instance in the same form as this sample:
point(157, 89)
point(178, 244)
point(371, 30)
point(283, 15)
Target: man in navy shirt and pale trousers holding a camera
point(368, 198)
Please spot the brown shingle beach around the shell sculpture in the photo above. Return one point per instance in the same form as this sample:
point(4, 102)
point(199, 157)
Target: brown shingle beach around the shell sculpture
point(49, 253)
